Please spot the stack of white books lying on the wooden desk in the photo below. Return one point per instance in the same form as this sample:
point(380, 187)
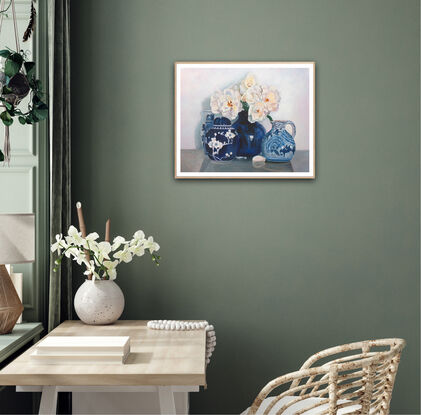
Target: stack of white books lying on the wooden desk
point(82, 349)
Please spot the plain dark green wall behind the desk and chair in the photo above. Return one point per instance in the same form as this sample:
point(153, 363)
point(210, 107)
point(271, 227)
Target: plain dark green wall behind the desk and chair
point(282, 268)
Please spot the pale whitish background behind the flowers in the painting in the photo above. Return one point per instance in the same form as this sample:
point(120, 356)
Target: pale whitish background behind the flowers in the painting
point(198, 84)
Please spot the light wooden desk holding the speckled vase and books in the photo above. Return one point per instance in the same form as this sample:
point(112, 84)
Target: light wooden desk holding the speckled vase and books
point(159, 361)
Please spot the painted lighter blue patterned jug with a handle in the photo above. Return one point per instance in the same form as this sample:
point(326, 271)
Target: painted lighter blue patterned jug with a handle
point(278, 144)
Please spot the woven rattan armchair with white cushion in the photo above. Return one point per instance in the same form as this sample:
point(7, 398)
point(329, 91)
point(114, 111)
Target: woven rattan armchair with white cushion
point(355, 378)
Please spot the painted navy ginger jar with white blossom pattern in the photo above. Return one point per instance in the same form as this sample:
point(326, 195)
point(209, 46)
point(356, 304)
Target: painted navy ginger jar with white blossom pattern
point(220, 140)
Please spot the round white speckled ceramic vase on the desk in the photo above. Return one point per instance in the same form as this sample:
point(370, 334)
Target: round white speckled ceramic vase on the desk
point(99, 302)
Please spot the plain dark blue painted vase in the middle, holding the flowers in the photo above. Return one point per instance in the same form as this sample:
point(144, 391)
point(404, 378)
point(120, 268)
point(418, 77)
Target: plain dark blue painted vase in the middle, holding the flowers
point(250, 136)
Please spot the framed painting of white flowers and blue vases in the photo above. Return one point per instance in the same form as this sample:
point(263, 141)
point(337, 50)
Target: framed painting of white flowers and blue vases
point(244, 120)
